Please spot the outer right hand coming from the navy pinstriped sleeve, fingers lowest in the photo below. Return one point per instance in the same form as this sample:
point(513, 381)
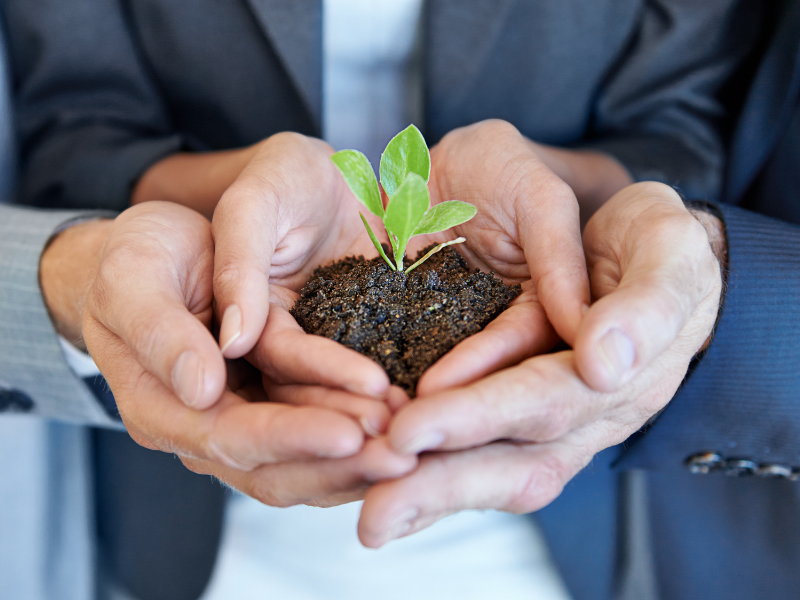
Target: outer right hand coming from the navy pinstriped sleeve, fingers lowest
point(658, 286)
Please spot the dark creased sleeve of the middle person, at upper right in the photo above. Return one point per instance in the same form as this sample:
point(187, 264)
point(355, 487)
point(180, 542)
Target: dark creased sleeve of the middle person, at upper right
point(659, 111)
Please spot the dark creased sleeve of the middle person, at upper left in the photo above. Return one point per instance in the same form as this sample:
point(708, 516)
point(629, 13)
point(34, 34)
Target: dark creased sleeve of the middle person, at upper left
point(90, 119)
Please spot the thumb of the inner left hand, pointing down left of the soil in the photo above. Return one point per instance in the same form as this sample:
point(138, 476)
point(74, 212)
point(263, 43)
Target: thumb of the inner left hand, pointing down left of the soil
point(245, 235)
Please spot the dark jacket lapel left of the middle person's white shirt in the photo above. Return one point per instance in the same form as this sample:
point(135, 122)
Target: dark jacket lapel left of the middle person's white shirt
point(295, 29)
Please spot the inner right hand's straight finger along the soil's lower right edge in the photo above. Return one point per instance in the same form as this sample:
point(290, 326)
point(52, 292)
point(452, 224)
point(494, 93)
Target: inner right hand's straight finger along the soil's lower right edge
point(516, 334)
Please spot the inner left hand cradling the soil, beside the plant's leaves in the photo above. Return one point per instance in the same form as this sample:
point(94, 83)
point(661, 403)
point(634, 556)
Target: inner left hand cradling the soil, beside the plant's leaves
point(289, 212)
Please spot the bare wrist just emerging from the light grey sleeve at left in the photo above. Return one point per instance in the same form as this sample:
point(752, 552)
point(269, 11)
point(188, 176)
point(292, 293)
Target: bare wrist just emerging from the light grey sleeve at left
point(66, 271)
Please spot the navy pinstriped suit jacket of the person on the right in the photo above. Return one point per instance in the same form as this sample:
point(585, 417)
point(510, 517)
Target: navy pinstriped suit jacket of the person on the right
point(713, 536)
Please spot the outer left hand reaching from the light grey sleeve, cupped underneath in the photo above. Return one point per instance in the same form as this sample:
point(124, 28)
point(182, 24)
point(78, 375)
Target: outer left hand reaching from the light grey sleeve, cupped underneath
point(146, 323)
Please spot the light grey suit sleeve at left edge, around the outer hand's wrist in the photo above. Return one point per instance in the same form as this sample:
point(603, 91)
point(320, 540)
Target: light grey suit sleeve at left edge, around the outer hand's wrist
point(34, 375)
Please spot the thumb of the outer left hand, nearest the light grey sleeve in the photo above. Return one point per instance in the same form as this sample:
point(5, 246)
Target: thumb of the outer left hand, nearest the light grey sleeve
point(146, 308)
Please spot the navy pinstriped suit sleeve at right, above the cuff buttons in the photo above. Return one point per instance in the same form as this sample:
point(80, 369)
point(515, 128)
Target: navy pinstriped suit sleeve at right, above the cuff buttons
point(742, 399)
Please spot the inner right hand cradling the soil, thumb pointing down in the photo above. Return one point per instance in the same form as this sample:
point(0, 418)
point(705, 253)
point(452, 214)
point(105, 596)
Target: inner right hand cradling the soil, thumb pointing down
point(527, 231)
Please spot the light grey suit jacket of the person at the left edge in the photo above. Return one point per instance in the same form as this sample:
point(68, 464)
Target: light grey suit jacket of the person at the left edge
point(46, 544)
